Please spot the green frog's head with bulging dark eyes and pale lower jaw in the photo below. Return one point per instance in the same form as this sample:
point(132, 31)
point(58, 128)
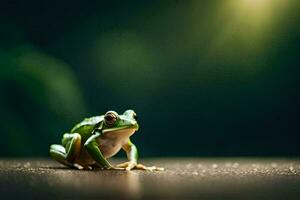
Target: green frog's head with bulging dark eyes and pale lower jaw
point(124, 124)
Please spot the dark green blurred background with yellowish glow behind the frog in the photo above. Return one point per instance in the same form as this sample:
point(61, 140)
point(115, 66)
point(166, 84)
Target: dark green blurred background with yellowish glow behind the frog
point(206, 78)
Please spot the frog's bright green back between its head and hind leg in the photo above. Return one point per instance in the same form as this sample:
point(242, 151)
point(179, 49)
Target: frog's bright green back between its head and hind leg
point(86, 127)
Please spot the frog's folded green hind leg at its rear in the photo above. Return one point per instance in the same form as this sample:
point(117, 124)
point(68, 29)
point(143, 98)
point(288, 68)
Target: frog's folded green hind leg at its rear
point(66, 153)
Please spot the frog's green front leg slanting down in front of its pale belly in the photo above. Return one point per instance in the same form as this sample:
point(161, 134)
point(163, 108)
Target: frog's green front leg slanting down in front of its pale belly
point(92, 148)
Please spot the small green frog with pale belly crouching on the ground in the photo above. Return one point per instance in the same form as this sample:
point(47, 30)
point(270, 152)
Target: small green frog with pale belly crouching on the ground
point(91, 142)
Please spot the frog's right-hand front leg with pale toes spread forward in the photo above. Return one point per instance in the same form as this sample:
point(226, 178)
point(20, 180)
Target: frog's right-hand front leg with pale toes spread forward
point(132, 155)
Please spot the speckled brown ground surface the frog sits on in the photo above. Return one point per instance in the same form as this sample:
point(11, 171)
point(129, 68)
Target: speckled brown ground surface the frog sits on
point(184, 178)
